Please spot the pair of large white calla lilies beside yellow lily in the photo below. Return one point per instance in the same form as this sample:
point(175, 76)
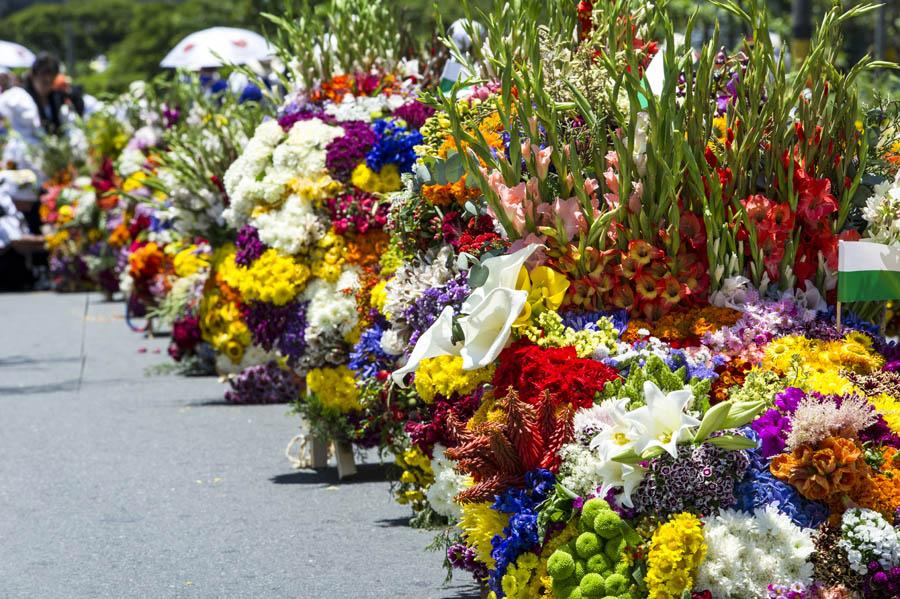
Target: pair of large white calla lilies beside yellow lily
point(489, 313)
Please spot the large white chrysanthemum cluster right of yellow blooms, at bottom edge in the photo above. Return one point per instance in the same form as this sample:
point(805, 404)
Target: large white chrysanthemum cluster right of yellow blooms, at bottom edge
point(747, 552)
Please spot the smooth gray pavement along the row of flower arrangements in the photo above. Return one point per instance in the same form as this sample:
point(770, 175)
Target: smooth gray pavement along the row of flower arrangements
point(118, 484)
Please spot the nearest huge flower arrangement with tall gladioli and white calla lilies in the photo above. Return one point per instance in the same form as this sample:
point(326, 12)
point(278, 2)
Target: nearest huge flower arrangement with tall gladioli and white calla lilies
point(614, 371)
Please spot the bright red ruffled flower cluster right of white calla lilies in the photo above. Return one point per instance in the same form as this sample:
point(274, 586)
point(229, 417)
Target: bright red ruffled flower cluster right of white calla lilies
point(532, 371)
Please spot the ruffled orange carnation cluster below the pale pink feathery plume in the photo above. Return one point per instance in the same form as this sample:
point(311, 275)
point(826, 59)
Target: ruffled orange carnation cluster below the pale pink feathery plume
point(833, 469)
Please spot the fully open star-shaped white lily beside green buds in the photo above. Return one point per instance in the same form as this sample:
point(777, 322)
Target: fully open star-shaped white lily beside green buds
point(662, 422)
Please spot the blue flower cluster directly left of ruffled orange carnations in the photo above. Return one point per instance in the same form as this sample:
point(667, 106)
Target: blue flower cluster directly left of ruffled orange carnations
point(760, 488)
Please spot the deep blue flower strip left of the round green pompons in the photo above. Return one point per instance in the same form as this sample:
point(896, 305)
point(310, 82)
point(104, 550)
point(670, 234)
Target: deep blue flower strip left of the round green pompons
point(521, 534)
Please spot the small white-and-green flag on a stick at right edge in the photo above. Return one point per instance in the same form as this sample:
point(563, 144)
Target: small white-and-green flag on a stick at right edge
point(868, 271)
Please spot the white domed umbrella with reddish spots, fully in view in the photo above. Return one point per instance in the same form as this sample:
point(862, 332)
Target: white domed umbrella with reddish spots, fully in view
point(215, 47)
